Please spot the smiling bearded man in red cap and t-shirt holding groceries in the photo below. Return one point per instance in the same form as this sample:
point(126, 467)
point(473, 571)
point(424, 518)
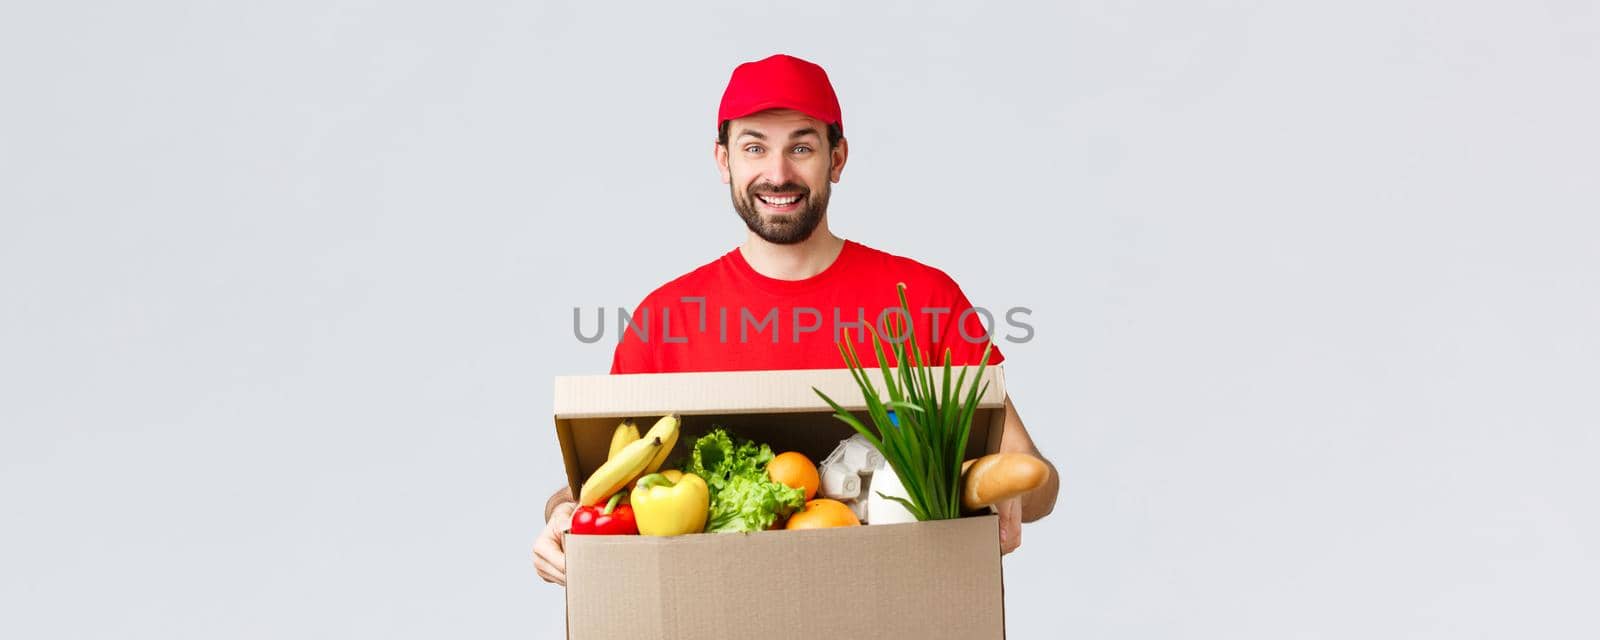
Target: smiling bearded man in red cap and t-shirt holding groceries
point(766, 305)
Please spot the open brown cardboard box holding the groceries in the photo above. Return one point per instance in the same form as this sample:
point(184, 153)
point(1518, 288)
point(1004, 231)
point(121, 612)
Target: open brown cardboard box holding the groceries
point(927, 580)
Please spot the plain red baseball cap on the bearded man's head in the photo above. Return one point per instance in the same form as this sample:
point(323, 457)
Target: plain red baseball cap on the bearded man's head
point(780, 82)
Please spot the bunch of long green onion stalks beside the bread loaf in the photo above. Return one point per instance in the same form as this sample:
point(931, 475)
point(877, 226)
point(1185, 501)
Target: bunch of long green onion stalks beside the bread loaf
point(929, 444)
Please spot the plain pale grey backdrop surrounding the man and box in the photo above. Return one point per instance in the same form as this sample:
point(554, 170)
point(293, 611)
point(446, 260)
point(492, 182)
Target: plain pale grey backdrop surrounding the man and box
point(1316, 289)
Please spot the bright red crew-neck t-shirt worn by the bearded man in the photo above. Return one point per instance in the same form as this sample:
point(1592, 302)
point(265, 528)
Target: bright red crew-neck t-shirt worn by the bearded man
point(727, 318)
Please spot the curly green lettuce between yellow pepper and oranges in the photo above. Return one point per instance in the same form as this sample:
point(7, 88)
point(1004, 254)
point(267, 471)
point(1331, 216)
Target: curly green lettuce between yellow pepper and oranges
point(742, 497)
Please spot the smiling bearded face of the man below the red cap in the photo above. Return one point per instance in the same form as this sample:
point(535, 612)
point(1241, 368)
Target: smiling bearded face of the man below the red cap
point(778, 169)
